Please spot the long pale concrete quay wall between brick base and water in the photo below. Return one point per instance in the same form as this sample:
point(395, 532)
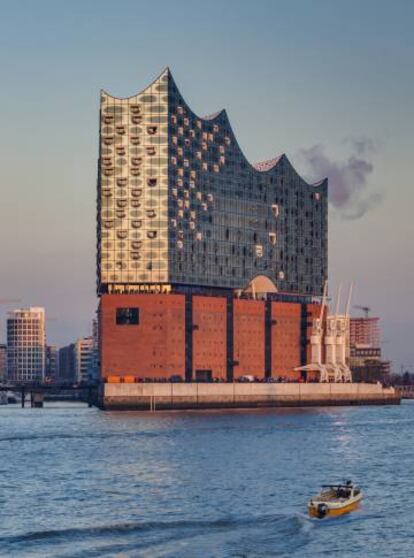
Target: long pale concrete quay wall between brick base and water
point(158, 396)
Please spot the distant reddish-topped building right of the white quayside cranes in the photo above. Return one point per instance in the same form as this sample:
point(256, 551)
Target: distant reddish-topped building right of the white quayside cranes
point(365, 358)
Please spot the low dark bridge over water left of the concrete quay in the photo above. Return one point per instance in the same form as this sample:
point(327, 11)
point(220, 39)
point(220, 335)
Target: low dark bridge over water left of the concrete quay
point(86, 391)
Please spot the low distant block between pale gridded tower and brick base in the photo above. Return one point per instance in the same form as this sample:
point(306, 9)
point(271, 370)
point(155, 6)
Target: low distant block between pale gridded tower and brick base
point(77, 361)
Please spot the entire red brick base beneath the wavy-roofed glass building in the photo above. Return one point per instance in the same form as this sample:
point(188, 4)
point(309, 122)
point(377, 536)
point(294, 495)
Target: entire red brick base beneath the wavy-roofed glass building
point(159, 336)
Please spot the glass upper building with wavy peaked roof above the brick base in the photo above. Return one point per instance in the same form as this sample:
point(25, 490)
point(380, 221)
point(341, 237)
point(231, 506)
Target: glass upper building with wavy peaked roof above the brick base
point(180, 205)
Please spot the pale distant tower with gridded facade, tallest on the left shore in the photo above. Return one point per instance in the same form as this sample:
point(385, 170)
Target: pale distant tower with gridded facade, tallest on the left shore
point(26, 345)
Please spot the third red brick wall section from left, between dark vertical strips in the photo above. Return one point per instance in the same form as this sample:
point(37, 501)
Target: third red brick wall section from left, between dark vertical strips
point(249, 337)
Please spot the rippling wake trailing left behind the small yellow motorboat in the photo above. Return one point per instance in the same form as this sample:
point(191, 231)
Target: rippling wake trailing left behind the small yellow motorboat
point(264, 536)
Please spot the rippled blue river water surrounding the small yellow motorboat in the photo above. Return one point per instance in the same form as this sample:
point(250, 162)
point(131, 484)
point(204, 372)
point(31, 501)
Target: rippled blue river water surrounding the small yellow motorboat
point(78, 482)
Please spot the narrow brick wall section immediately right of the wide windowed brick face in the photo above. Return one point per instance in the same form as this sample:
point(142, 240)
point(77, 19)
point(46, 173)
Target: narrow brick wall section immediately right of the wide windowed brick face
point(209, 335)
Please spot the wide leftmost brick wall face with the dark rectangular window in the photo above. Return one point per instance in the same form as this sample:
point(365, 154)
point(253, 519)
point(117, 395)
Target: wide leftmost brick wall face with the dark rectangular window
point(154, 348)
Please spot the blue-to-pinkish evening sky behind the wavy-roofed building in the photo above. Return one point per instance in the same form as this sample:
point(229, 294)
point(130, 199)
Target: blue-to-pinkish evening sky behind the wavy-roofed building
point(328, 82)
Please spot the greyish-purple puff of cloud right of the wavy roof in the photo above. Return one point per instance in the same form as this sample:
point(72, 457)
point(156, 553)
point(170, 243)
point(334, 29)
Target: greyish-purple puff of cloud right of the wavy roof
point(349, 189)
